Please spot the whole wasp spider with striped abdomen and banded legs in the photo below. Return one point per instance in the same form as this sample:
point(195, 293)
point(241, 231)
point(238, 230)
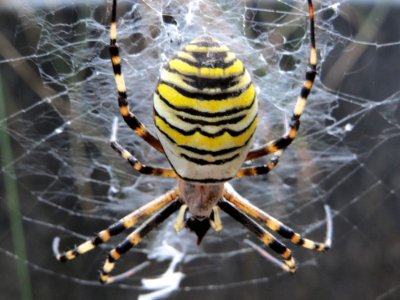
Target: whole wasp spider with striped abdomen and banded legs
point(205, 112)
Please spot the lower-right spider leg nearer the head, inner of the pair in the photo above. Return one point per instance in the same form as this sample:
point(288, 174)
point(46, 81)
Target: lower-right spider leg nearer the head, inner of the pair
point(261, 233)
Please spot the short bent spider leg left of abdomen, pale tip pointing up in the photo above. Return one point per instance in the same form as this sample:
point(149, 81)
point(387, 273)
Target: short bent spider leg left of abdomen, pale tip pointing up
point(138, 166)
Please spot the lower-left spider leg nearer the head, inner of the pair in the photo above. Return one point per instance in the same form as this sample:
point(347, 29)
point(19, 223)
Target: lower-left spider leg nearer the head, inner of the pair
point(134, 239)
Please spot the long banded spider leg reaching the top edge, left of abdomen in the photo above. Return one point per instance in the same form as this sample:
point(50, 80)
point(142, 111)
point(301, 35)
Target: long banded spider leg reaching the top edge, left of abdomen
point(127, 115)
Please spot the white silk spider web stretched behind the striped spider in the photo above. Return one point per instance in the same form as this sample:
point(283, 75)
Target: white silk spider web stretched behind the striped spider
point(61, 179)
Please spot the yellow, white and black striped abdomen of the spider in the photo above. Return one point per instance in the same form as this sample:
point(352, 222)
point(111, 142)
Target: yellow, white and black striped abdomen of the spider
point(205, 111)
